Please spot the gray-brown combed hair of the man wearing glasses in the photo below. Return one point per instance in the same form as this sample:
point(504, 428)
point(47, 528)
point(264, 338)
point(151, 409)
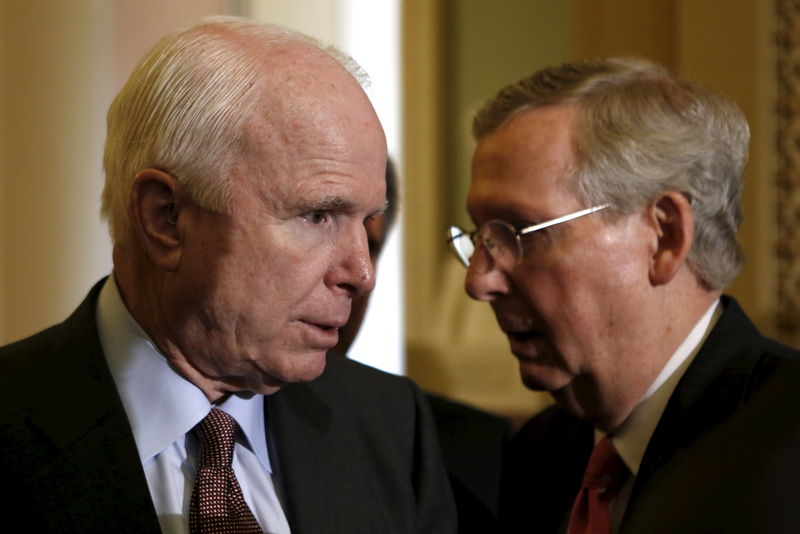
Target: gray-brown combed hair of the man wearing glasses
point(639, 133)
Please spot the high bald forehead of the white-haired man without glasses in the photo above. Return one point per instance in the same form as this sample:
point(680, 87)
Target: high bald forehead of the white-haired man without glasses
point(314, 131)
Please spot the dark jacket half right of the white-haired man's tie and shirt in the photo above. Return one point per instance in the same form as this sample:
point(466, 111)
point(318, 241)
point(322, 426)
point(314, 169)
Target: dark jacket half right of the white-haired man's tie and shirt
point(359, 435)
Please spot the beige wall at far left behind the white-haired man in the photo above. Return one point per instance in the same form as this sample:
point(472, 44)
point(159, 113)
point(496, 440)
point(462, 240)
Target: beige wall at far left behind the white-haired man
point(61, 64)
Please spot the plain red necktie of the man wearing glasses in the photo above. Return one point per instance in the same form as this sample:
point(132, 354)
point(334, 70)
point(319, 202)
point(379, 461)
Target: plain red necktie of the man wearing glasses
point(605, 474)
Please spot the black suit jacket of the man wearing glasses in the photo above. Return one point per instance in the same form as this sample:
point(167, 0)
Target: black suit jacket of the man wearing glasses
point(548, 456)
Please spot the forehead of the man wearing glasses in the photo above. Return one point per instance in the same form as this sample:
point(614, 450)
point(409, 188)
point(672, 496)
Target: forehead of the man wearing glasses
point(524, 168)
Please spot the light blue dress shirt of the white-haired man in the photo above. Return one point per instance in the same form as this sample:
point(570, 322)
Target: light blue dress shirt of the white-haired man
point(163, 407)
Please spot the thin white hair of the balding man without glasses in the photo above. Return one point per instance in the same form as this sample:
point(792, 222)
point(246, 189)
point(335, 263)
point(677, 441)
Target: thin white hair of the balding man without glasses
point(184, 111)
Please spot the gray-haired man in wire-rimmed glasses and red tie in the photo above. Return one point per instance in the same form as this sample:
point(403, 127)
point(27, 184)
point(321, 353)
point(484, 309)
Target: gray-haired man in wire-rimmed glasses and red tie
point(606, 199)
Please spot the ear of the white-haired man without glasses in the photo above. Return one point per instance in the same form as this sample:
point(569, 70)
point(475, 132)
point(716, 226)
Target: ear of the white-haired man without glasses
point(154, 209)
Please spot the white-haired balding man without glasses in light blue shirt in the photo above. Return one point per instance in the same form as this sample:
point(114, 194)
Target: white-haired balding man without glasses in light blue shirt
point(241, 164)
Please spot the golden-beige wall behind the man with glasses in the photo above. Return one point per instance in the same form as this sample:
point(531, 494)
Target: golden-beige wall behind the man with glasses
point(460, 52)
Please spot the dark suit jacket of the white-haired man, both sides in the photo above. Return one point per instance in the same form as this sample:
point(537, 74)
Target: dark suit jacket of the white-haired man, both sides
point(355, 450)
